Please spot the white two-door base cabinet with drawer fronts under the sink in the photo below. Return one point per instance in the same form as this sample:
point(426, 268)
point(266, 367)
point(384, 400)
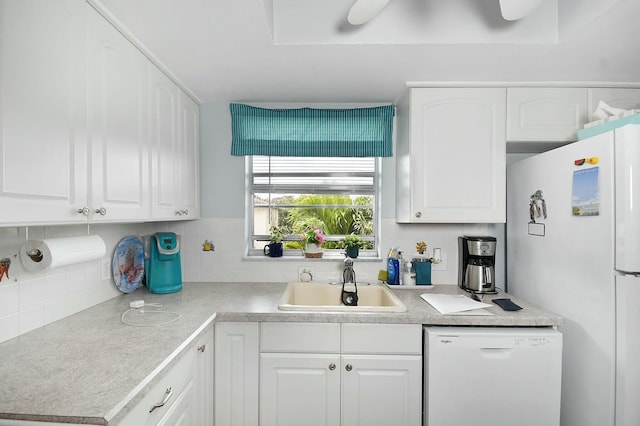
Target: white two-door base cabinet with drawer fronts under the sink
point(339, 377)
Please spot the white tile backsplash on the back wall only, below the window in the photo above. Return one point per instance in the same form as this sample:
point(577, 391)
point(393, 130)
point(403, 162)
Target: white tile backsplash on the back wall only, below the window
point(228, 263)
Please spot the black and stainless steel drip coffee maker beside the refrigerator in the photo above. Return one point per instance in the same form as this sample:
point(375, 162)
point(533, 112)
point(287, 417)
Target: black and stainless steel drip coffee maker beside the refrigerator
point(476, 259)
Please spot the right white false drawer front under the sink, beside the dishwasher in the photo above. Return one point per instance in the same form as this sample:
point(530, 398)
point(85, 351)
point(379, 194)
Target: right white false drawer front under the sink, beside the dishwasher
point(382, 339)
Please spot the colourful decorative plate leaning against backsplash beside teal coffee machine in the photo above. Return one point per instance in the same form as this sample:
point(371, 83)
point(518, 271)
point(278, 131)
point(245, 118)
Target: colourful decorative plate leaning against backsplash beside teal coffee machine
point(128, 264)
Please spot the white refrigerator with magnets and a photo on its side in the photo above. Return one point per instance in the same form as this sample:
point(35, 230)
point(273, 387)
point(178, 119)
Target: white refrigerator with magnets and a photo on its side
point(573, 247)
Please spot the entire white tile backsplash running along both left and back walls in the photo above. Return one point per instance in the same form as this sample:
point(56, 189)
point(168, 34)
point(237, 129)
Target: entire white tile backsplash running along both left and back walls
point(32, 300)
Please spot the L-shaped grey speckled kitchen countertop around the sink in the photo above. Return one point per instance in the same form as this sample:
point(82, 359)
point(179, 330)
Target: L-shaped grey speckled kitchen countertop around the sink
point(91, 368)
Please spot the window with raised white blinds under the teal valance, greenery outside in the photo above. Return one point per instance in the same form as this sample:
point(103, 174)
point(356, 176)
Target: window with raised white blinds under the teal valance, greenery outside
point(337, 194)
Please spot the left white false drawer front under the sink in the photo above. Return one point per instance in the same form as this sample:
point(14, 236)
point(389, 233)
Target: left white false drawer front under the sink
point(300, 337)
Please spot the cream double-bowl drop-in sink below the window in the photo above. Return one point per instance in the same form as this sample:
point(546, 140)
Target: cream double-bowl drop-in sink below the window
point(327, 297)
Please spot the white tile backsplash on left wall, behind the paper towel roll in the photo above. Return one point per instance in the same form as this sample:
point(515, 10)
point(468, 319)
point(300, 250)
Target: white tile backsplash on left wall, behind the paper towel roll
point(29, 300)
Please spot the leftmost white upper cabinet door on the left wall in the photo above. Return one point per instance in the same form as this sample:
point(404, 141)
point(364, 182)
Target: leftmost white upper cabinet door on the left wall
point(42, 114)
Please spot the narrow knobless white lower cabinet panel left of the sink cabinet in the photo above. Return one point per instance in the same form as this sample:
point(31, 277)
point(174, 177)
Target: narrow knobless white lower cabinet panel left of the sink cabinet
point(237, 362)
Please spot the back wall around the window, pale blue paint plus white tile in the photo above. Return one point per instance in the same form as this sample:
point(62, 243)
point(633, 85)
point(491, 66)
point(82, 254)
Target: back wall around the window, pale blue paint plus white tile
point(222, 221)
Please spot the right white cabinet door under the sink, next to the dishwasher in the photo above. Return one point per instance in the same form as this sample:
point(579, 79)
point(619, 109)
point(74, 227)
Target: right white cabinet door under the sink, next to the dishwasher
point(382, 390)
